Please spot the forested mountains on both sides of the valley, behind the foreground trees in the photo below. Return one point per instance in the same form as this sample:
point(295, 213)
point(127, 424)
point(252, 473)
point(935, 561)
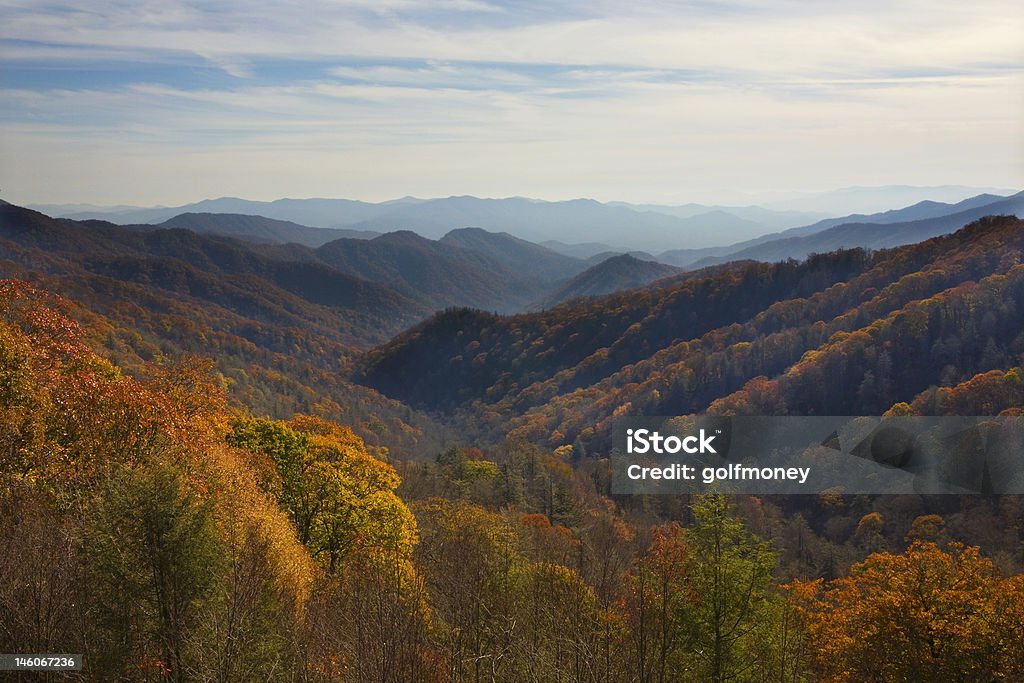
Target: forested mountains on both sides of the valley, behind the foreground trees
point(412, 326)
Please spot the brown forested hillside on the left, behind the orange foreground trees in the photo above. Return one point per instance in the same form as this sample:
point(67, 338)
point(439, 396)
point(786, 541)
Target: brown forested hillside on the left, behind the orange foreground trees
point(281, 330)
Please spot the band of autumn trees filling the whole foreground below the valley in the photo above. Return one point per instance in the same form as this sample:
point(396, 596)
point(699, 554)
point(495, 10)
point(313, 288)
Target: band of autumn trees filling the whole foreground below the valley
point(168, 538)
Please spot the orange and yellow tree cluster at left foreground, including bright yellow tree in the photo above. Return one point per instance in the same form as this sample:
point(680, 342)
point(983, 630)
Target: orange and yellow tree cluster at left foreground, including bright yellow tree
point(163, 549)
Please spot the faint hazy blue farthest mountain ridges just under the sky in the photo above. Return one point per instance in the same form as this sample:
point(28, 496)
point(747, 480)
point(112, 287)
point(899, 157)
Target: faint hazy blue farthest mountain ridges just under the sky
point(643, 227)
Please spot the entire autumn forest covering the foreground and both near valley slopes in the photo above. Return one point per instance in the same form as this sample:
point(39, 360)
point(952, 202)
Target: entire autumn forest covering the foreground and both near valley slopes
point(439, 507)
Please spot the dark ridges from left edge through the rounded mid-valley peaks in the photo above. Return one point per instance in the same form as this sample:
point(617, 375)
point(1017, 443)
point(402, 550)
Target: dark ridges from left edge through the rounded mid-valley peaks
point(388, 282)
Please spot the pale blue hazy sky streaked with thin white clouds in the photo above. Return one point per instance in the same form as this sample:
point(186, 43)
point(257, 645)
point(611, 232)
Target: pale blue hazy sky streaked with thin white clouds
point(166, 102)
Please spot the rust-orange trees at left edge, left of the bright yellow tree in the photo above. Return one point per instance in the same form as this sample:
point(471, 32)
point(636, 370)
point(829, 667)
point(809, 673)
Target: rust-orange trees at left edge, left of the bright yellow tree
point(132, 531)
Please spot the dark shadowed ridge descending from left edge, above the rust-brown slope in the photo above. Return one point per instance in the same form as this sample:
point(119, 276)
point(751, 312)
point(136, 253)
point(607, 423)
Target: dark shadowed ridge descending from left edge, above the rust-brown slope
point(206, 272)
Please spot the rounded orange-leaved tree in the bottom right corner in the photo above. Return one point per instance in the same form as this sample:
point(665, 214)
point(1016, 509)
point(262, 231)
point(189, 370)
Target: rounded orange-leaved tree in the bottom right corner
point(931, 614)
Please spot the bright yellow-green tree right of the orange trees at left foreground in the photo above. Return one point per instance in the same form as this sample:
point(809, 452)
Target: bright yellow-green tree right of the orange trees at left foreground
point(369, 619)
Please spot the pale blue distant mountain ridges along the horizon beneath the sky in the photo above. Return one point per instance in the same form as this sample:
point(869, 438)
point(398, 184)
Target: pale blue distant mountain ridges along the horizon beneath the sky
point(680, 235)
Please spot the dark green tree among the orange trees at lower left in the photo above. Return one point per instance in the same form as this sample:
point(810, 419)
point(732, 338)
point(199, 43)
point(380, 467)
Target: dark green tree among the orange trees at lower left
point(153, 554)
